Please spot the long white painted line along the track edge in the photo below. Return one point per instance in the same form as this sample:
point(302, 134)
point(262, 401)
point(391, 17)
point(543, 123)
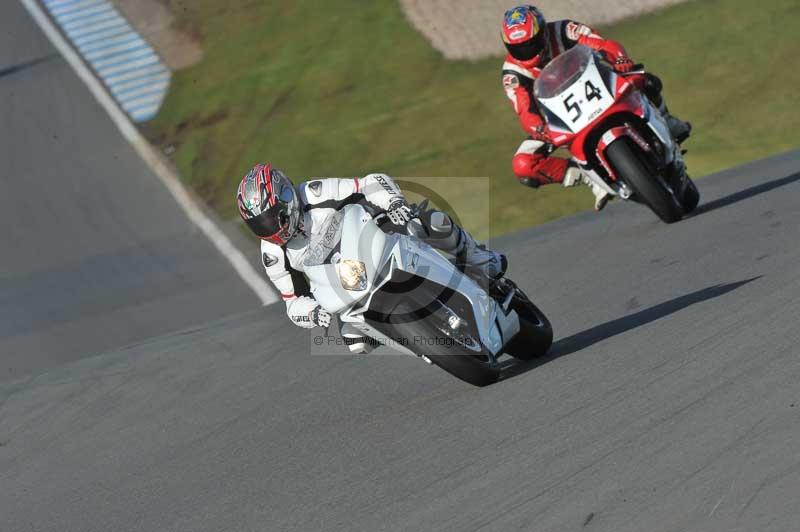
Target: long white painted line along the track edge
point(242, 266)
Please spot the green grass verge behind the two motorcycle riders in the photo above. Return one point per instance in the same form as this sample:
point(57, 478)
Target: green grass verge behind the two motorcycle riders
point(345, 88)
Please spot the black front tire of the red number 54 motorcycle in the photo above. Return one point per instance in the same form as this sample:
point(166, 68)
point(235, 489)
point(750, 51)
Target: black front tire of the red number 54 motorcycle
point(647, 186)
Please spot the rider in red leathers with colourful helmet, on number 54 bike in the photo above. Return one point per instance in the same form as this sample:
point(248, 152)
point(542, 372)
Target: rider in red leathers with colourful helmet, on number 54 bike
point(531, 43)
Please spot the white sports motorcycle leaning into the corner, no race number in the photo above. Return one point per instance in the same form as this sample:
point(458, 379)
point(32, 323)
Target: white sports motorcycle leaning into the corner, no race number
point(400, 291)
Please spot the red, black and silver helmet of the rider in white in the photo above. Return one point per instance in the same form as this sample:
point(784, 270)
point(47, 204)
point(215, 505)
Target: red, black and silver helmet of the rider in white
point(268, 204)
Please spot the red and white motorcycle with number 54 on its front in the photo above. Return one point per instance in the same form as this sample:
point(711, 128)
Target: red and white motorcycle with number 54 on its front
point(617, 136)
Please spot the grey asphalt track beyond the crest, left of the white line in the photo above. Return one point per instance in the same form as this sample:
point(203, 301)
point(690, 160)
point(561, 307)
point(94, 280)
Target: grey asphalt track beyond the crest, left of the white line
point(95, 253)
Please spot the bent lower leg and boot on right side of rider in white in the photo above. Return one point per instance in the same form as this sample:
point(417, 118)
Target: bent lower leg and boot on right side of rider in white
point(476, 260)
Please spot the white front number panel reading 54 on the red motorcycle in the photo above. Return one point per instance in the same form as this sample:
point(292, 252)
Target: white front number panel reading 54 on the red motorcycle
point(579, 103)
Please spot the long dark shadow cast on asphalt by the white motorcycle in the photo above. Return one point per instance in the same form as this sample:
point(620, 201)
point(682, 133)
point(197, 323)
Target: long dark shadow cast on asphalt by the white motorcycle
point(604, 331)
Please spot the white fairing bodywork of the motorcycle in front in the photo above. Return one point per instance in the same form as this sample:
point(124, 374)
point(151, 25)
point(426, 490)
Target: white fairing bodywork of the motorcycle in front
point(382, 254)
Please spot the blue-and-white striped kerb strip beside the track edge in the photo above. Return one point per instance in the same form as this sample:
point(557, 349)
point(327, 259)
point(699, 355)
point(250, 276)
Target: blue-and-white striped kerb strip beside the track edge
point(130, 69)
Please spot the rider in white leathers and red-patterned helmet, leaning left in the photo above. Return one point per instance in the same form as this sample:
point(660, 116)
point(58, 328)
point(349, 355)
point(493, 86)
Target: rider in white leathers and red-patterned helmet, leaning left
point(286, 218)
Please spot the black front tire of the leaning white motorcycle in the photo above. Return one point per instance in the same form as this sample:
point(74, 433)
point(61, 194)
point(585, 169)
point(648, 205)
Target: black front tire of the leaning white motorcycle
point(470, 366)
